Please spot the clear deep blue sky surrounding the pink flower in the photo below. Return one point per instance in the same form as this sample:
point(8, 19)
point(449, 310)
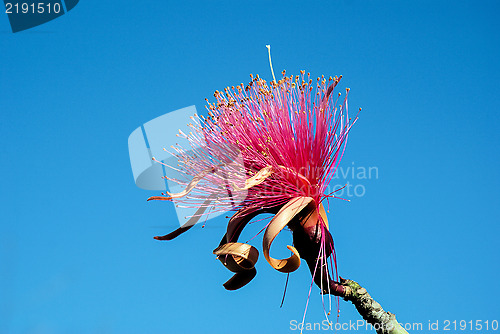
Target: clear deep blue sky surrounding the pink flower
point(76, 247)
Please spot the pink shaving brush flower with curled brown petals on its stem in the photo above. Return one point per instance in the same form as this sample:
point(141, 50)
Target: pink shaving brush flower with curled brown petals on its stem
point(289, 136)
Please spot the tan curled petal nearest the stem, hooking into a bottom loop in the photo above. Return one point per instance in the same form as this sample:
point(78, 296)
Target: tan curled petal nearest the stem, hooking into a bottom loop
point(279, 221)
